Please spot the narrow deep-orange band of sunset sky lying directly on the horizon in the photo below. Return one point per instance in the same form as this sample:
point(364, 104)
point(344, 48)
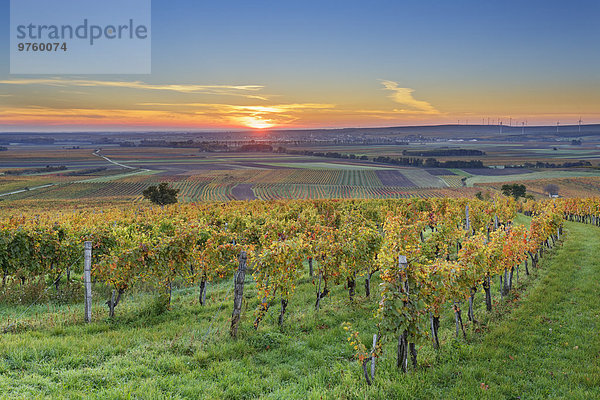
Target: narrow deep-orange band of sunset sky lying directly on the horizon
point(237, 118)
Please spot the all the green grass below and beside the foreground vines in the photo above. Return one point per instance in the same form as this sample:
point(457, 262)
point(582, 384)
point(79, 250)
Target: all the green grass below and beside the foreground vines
point(186, 352)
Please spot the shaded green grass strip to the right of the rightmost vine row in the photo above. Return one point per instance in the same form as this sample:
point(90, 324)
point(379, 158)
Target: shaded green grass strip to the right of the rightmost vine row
point(548, 347)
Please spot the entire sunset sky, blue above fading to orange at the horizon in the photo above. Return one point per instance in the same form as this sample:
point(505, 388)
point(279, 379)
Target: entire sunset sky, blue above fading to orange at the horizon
point(228, 65)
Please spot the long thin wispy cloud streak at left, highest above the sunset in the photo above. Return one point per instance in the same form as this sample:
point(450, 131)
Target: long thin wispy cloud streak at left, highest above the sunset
point(248, 91)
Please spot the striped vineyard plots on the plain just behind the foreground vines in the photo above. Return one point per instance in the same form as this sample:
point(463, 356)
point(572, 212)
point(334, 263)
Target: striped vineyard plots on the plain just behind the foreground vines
point(304, 180)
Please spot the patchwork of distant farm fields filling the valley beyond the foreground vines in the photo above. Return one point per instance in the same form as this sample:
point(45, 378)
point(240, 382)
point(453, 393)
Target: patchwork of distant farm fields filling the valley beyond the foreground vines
point(202, 176)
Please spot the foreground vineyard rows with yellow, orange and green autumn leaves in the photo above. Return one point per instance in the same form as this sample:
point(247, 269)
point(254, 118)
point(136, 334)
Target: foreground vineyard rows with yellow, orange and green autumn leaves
point(418, 264)
